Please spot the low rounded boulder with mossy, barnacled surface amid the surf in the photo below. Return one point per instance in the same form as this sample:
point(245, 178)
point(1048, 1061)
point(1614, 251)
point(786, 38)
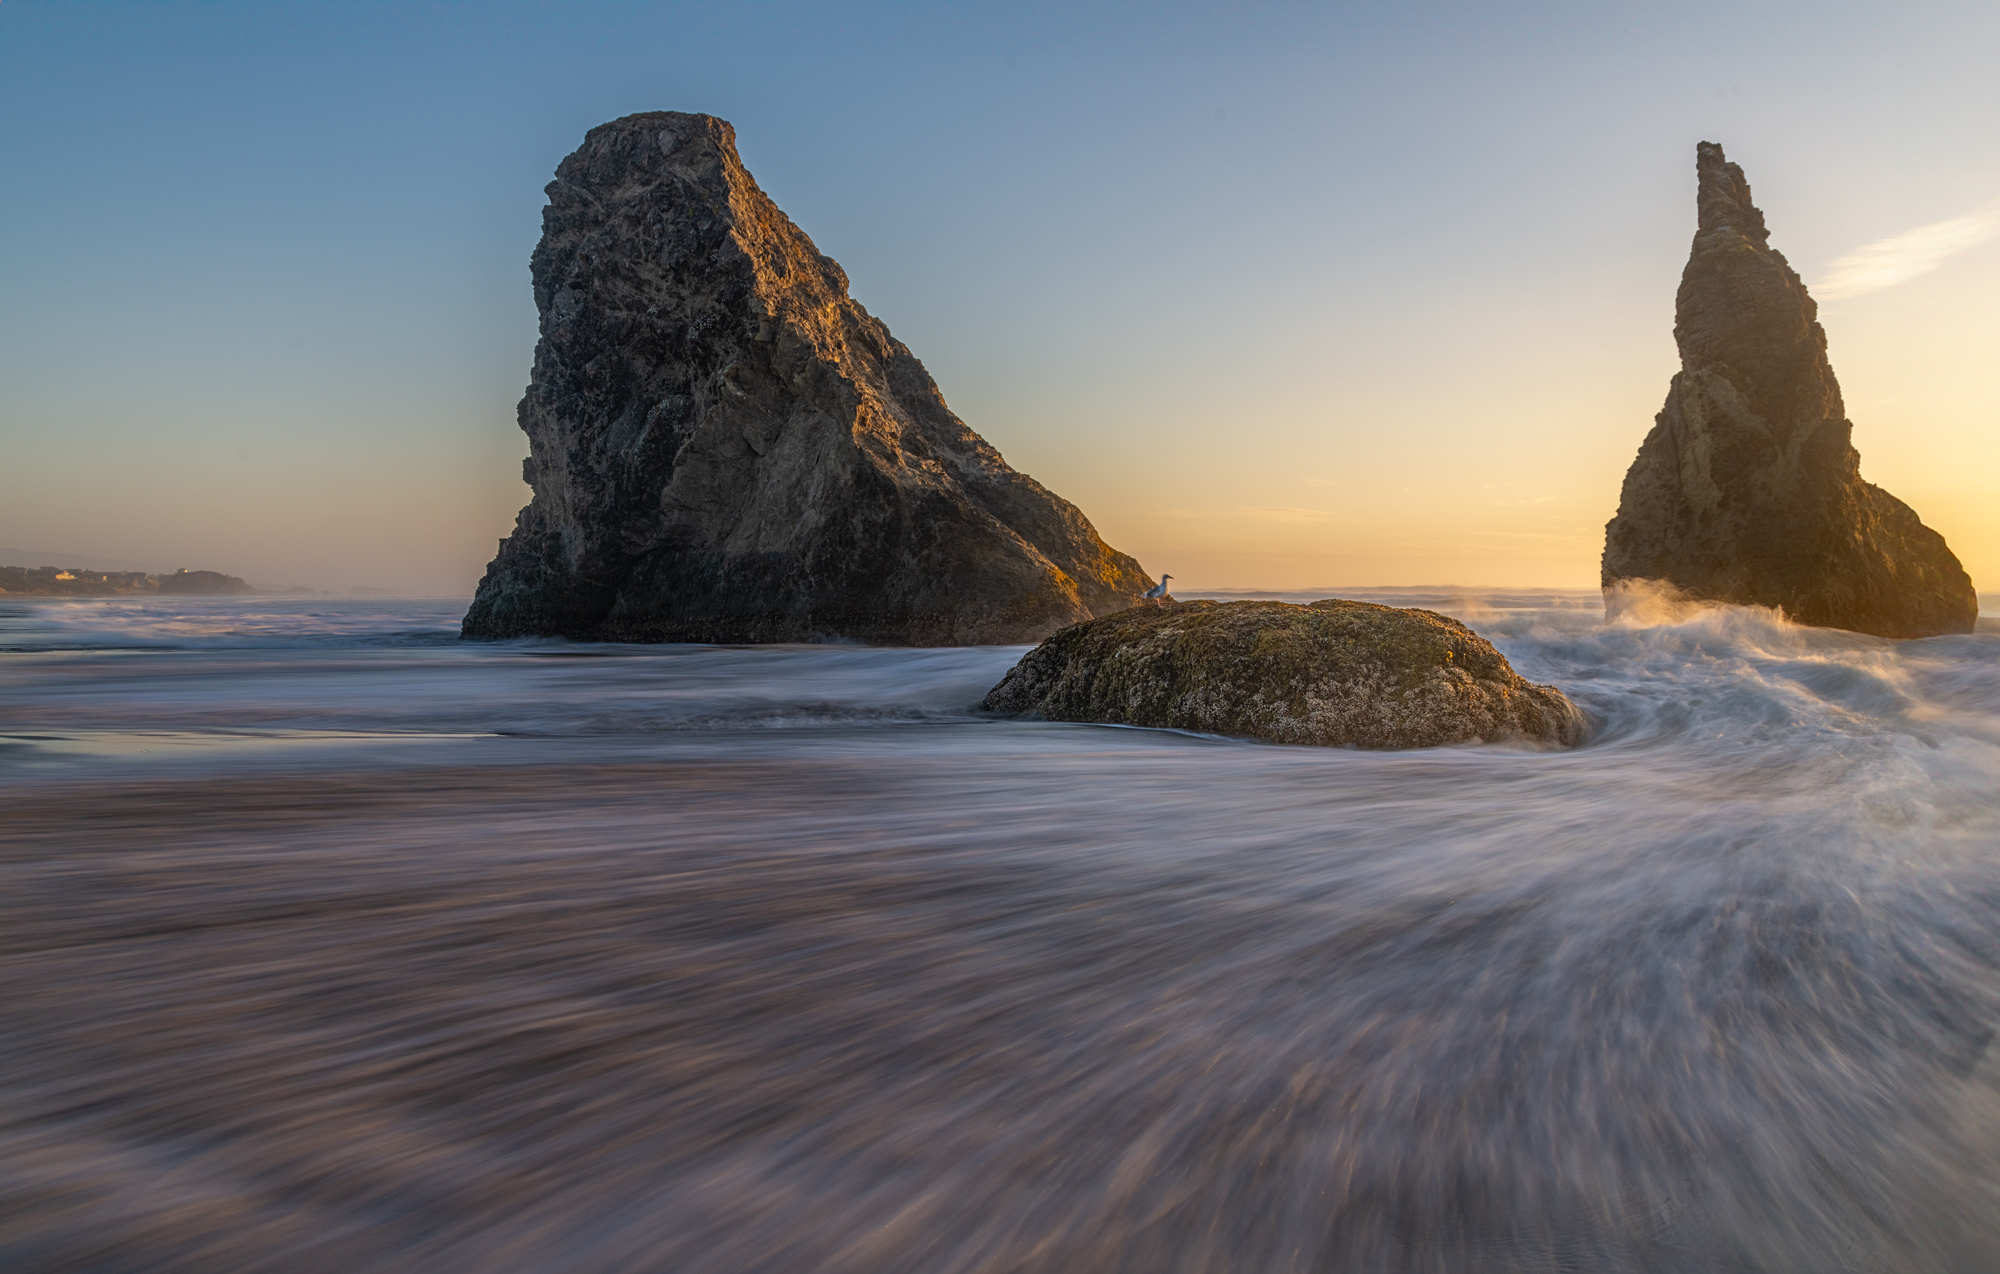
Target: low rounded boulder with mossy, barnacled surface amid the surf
point(1331, 673)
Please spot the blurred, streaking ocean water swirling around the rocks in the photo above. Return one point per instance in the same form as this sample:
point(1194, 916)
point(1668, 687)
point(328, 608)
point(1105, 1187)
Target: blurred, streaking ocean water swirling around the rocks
point(333, 943)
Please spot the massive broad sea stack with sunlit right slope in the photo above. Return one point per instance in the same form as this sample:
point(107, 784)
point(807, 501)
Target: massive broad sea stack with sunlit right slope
point(725, 447)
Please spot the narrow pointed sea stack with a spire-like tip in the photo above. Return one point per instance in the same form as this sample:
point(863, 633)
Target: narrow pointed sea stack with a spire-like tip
point(1749, 487)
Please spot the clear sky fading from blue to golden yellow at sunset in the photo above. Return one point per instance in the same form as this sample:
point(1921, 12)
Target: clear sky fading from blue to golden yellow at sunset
point(1279, 295)
